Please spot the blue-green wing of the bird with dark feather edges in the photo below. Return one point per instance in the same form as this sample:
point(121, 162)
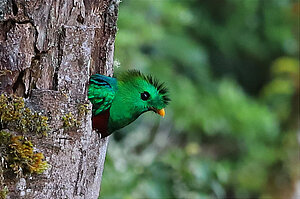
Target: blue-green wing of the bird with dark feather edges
point(102, 90)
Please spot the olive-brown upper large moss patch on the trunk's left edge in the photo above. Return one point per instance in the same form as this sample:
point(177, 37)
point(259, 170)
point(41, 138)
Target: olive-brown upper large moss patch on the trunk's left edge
point(14, 115)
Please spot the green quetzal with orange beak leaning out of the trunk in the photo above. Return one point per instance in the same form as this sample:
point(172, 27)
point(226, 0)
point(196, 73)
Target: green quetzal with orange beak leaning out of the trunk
point(118, 102)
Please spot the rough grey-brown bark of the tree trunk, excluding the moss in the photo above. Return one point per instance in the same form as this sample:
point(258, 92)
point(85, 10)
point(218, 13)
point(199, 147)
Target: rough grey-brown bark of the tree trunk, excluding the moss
point(48, 50)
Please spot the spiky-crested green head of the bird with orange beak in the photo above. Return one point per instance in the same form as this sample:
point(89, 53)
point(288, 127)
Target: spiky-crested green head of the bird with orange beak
point(144, 93)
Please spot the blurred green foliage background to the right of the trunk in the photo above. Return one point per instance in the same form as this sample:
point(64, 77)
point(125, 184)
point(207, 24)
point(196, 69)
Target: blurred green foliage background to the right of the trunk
point(230, 130)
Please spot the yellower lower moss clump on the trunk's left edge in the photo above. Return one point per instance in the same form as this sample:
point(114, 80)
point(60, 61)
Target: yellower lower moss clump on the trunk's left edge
point(19, 155)
